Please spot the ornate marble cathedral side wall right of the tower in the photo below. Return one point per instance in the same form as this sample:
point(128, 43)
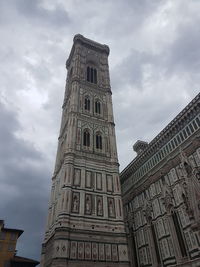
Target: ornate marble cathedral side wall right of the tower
point(161, 195)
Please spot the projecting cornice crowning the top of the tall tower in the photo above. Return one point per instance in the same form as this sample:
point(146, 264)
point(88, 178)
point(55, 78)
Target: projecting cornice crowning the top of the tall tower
point(78, 38)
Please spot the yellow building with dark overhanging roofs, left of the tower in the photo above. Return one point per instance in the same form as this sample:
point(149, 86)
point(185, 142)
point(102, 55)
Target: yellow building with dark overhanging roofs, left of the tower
point(8, 242)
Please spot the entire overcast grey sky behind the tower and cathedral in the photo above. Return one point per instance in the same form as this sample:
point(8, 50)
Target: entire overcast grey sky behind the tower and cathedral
point(155, 73)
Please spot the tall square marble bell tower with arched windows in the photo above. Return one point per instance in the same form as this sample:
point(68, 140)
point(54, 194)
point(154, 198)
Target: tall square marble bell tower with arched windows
point(85, 220)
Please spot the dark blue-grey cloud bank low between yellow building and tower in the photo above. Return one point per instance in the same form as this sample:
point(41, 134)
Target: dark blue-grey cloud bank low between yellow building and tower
point(25, 185)
